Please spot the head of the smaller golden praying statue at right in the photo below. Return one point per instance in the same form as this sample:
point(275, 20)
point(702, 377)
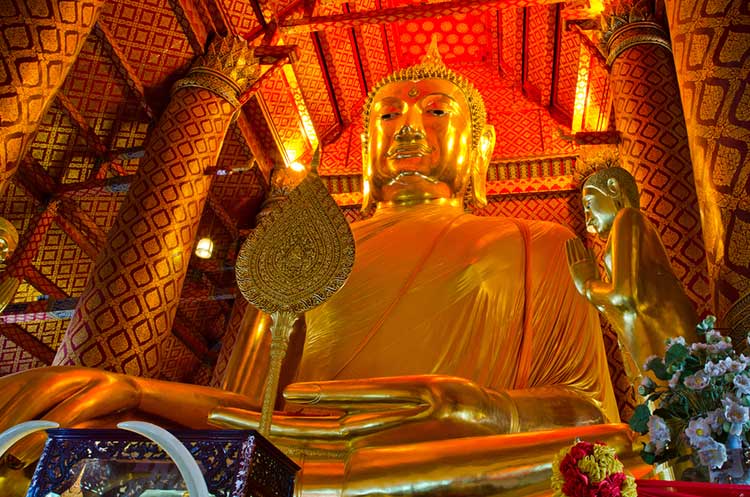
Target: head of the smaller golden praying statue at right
point(604, 193)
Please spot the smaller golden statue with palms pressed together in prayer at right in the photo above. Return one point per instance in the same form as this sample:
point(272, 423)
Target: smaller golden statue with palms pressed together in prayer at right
point(641, 296)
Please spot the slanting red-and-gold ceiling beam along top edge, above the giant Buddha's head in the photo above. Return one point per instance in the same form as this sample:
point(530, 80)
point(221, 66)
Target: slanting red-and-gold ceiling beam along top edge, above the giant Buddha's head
point(404, 13)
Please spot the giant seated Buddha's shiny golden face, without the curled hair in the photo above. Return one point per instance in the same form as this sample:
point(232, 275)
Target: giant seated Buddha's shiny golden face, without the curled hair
point(420, 141)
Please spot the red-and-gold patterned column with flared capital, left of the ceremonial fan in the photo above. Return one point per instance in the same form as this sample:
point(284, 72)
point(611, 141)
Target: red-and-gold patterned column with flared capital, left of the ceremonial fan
point(130, 299)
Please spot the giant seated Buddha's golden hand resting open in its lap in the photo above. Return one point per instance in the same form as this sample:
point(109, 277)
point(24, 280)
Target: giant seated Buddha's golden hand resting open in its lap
point(428, 405)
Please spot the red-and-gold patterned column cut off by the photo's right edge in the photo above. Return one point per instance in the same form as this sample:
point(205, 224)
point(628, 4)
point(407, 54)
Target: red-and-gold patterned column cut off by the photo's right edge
point(711, 41)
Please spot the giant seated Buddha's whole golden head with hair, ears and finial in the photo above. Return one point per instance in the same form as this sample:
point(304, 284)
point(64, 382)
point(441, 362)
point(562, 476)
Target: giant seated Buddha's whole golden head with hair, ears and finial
point(426, 135)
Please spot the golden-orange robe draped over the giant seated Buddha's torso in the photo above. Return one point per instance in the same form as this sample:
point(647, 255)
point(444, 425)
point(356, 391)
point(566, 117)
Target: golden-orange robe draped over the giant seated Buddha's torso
point(437, 291)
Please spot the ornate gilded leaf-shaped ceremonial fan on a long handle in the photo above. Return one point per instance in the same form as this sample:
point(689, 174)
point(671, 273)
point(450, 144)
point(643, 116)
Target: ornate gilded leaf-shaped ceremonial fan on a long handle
point(299, 255)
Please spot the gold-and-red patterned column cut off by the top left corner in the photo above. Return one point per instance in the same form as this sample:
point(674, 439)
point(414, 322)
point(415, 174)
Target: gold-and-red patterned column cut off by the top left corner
point(39, 41)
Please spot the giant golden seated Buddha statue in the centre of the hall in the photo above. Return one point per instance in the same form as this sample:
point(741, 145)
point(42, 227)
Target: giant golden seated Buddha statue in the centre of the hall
point(457, 359)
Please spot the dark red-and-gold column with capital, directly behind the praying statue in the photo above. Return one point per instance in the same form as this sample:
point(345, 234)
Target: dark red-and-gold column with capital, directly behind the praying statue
point(654, 145)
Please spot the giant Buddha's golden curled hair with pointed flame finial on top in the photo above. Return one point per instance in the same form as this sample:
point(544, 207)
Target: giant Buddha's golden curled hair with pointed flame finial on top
point(432, 67)
